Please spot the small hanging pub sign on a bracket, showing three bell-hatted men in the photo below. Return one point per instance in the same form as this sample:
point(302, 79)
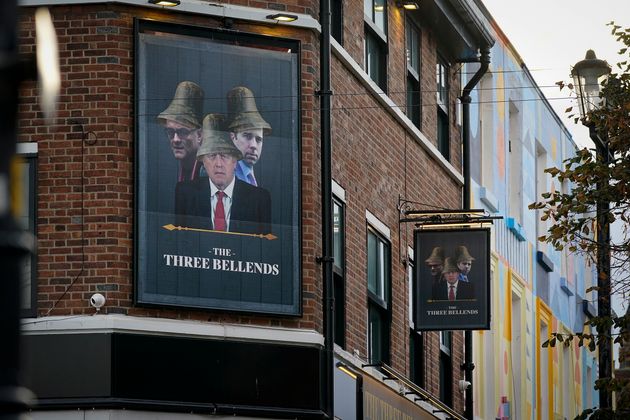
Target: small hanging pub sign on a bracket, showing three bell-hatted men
point(452, 279)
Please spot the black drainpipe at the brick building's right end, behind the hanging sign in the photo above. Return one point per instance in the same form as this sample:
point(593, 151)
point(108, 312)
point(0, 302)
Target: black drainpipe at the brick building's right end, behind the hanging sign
point(468, 366)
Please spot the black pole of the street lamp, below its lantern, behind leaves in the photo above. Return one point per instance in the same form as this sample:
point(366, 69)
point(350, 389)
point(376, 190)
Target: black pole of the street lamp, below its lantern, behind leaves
point(603, 269)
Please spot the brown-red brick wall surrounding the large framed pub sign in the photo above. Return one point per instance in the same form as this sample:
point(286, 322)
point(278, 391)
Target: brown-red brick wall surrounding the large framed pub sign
point(94, 133)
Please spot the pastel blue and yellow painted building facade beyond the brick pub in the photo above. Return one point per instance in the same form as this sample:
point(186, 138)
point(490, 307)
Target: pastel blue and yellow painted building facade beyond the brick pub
point(537, 290)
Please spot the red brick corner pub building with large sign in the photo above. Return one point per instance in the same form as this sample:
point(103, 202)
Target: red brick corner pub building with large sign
point(171, 338)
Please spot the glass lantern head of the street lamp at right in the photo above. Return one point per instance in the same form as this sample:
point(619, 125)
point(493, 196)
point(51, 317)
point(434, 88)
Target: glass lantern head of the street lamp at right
point(588, 76)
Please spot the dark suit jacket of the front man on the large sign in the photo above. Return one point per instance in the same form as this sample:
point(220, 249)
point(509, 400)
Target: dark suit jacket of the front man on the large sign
point(250, 211)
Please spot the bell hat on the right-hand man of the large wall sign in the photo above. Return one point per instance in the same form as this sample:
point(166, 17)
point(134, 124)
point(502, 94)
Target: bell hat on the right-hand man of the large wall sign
point(242, 111)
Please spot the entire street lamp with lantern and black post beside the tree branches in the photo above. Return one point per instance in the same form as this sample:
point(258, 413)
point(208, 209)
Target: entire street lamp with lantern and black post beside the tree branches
point(588, 76)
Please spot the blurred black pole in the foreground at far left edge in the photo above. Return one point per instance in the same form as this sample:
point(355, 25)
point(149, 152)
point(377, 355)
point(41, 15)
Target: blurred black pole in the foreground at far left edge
point(14, 242)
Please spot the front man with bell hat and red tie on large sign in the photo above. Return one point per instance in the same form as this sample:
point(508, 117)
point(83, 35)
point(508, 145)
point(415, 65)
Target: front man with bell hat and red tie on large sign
point(220, 202)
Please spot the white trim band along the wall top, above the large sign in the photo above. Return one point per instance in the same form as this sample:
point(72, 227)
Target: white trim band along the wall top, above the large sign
point(198, 7)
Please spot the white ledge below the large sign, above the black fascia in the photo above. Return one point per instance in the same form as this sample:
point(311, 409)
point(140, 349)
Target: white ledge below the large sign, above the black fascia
point(83, 324)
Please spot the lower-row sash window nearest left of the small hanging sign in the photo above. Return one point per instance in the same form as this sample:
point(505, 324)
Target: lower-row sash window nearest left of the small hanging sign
point(379, 307)
